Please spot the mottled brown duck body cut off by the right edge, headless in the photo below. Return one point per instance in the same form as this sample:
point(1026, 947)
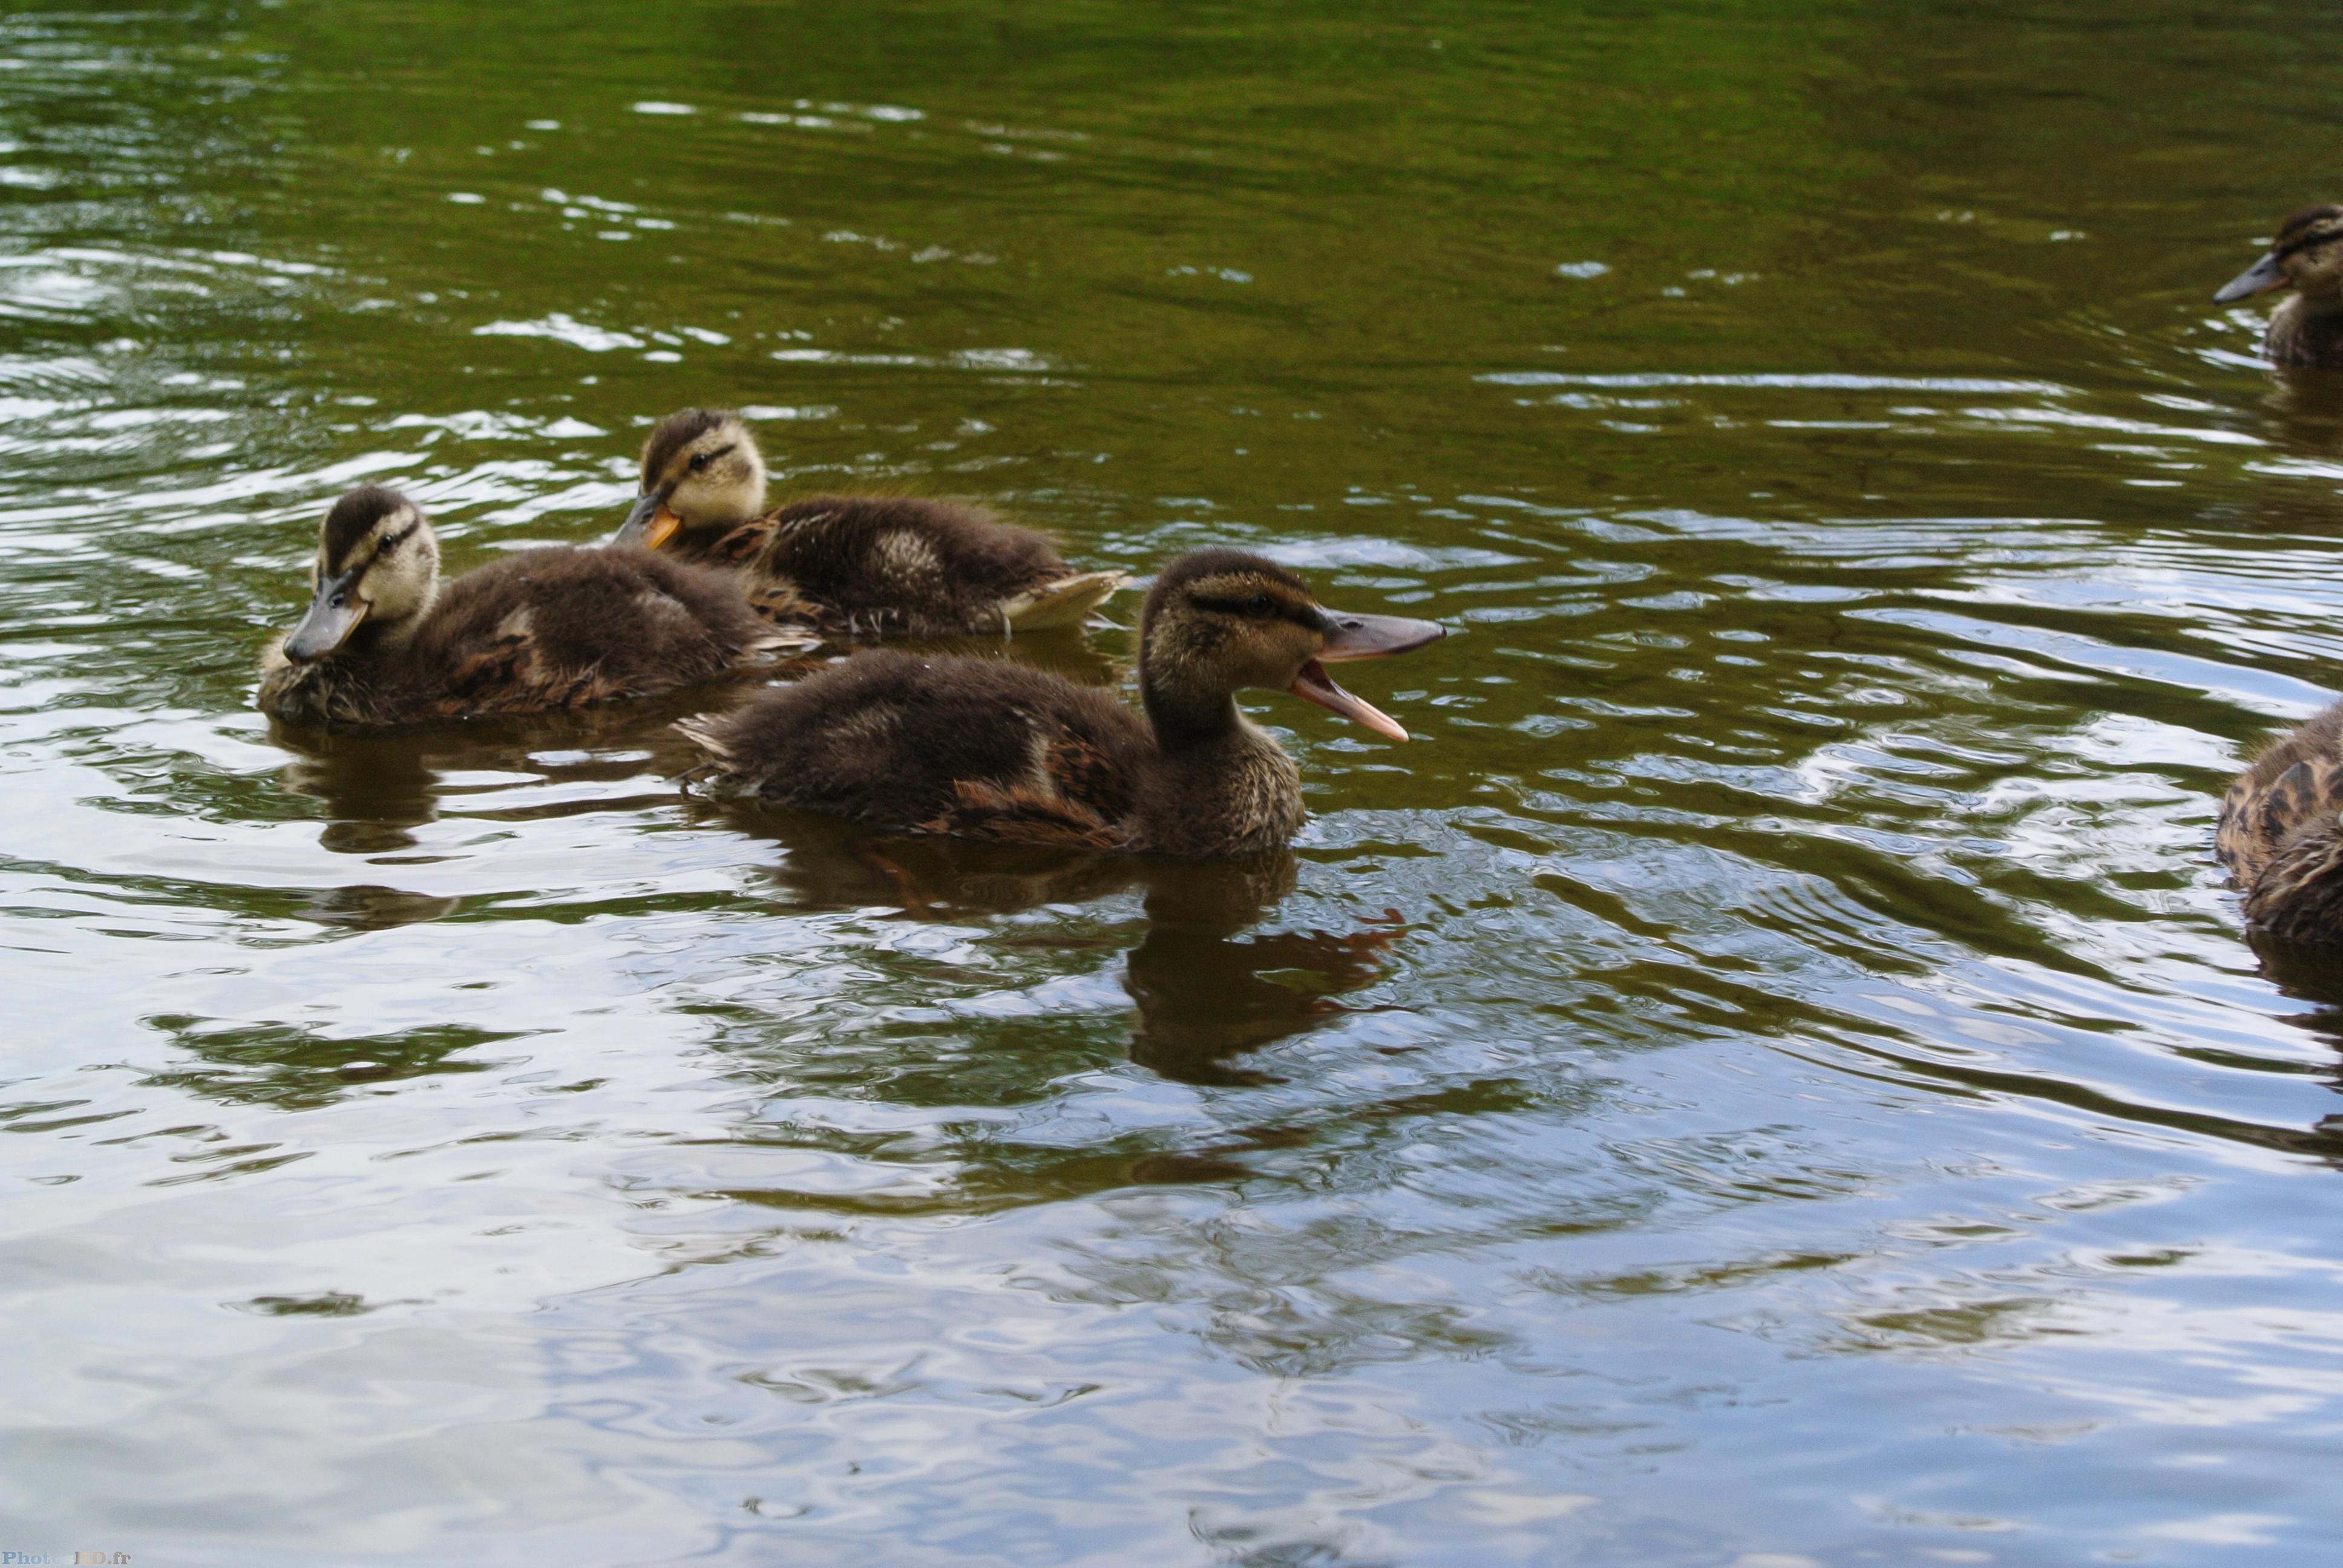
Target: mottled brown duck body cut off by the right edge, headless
point(2281, 836)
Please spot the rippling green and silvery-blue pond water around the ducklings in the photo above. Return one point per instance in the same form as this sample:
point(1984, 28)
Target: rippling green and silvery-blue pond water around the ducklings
point(1770, 1077)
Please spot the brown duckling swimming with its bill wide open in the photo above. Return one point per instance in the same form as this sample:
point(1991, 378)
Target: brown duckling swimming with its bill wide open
point(999, 751)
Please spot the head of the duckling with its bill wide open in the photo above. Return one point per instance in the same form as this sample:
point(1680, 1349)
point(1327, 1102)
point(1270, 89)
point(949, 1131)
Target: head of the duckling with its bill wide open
point(1220, 622)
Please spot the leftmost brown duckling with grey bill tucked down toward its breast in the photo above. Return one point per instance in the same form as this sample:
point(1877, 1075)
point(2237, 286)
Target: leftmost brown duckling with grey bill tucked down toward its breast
point(385, 643)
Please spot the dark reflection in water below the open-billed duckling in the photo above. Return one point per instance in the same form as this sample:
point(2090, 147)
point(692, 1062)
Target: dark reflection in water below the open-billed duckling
point(1205, 990)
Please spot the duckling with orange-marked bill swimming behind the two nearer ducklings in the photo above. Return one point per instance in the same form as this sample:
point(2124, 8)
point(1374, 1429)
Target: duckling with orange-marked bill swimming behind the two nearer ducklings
point(852, 566)
